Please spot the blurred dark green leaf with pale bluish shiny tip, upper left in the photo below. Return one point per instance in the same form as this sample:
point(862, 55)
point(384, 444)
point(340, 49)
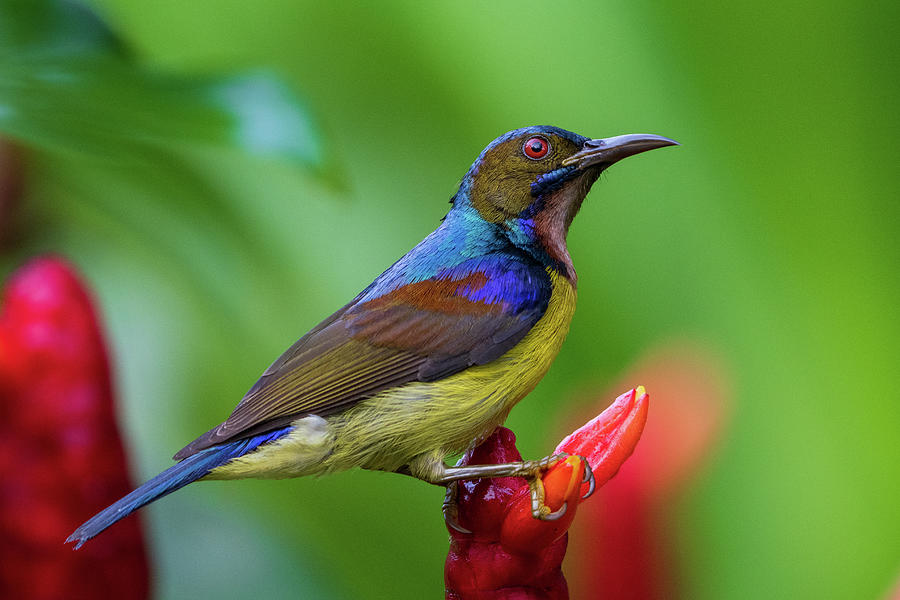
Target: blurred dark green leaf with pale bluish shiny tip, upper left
point(67, 84)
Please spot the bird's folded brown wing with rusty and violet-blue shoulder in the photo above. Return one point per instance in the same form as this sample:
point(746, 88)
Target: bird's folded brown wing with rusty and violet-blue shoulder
point(420, 331)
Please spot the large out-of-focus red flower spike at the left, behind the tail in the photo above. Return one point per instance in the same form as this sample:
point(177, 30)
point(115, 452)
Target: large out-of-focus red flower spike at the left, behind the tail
point(60, 452)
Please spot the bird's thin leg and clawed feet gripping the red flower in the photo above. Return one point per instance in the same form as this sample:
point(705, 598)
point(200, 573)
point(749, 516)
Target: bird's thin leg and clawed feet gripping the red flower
point(432, 469)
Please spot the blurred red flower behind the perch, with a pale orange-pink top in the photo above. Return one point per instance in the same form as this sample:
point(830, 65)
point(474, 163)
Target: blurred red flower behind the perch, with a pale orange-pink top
point(625, 546)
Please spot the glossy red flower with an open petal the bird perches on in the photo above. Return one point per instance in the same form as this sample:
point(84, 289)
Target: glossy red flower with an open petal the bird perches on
point(510, 554)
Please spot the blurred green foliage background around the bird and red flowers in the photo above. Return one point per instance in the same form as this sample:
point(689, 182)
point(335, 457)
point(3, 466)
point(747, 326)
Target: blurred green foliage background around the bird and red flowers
point(227, 173)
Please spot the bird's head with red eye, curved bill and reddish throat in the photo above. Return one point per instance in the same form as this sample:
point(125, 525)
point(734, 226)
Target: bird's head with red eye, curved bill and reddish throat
point(531, 182)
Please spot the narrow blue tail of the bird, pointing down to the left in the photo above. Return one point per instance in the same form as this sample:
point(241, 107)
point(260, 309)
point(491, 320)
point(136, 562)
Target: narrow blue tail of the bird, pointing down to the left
point(174, 478)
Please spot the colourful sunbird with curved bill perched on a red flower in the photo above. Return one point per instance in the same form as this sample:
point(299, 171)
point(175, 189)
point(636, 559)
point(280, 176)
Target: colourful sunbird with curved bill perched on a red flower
point(431, 357)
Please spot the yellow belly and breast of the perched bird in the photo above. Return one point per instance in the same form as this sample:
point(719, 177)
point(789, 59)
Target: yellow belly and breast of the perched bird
point(438, 418)
